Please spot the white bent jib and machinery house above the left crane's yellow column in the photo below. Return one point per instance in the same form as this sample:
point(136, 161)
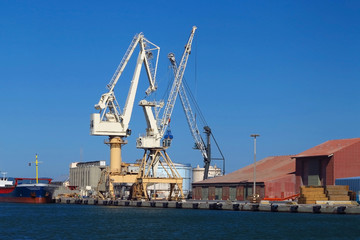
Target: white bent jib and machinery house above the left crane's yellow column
point(110, 120)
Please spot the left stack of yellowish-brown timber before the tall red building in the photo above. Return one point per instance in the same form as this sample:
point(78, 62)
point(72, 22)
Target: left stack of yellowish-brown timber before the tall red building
point(311, 194)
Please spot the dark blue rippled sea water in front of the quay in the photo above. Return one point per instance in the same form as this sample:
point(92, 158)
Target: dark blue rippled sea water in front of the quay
point(60, 221)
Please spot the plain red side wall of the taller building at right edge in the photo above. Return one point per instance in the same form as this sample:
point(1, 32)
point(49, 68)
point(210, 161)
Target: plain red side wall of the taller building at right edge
point(347, 162)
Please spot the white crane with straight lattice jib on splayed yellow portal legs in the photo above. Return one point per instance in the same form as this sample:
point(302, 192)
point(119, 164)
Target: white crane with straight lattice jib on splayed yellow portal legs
point(154, 148)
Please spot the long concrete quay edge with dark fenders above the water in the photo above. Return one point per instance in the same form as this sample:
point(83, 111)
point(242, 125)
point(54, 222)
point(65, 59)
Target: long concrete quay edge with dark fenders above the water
point(230, 206)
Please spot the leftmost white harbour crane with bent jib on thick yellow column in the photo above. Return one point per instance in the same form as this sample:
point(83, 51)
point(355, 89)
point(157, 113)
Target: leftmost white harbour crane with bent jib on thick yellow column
point(111, 121)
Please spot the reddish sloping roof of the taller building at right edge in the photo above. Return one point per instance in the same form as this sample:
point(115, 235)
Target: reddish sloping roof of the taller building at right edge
point(328, 148)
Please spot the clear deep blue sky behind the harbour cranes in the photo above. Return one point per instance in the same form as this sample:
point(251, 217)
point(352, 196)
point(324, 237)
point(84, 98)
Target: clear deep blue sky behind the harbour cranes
point(287, 70)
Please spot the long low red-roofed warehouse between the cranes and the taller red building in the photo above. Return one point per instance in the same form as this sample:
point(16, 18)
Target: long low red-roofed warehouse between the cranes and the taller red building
point(275, 178)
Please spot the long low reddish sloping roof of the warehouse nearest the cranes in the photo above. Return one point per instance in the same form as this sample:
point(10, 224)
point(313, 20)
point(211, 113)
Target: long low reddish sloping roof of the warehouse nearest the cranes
point(266, 169)
